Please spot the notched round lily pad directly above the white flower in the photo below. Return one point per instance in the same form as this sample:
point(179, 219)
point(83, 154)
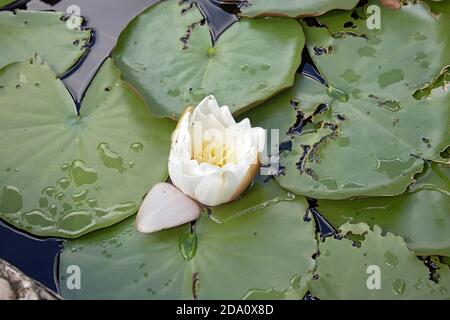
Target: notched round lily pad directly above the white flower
point(168, 55)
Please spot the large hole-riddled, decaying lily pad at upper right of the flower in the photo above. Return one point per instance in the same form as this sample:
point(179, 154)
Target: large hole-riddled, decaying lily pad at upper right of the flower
point(373, 135)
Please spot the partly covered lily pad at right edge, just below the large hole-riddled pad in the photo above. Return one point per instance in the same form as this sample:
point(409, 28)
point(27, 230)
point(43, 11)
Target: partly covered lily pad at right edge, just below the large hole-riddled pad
point(421, 217)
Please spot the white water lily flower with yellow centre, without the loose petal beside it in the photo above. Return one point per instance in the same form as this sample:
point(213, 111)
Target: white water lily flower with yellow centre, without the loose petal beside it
point(213, 159)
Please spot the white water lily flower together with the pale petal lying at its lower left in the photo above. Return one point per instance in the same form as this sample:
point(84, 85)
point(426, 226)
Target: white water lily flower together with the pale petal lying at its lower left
point(212, 160)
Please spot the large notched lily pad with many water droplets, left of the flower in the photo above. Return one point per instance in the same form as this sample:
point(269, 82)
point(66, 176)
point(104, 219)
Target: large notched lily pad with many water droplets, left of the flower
point(65, 173)
